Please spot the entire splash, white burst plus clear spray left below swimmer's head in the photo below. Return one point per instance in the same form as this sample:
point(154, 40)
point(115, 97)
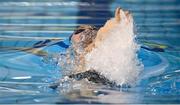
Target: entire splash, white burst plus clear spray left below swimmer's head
point(115, 57)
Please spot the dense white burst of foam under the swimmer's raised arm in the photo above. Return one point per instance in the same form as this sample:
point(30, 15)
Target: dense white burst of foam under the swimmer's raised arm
point(116, 57)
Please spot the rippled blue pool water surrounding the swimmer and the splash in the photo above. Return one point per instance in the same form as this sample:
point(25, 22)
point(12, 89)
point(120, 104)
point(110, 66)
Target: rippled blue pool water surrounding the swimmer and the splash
point(33, 33)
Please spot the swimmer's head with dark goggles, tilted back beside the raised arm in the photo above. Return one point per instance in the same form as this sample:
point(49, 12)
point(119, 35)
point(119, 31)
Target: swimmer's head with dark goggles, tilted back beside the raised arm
point(84, 35)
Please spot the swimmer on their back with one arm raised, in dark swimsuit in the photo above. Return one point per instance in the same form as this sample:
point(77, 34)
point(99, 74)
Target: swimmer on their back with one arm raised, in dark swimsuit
point(87, 38)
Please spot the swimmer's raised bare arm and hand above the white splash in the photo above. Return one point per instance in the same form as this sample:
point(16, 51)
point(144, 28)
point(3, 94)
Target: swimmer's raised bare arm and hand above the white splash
point(121, 17)
